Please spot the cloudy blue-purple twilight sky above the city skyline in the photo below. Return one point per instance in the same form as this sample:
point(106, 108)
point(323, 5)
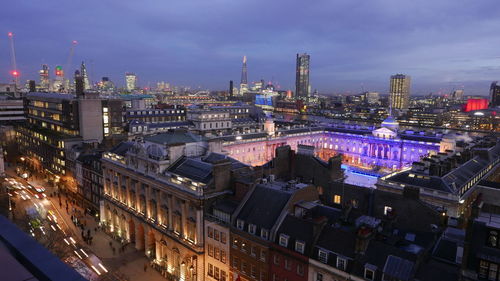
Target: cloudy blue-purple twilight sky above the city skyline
point(354, 44)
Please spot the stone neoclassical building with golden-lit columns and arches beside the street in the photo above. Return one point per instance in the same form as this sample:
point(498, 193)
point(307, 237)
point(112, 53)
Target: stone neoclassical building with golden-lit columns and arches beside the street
point(156, 191)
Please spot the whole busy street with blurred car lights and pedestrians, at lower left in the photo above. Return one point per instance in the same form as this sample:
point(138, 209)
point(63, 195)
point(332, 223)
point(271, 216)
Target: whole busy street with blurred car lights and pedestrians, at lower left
point(59, 223)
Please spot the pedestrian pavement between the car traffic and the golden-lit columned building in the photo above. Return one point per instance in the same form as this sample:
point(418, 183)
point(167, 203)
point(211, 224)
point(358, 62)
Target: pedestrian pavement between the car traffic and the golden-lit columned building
point(128, 265)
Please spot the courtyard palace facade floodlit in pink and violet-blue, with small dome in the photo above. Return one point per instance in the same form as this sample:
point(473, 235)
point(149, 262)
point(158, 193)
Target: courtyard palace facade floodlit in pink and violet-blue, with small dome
point(385, 146)
